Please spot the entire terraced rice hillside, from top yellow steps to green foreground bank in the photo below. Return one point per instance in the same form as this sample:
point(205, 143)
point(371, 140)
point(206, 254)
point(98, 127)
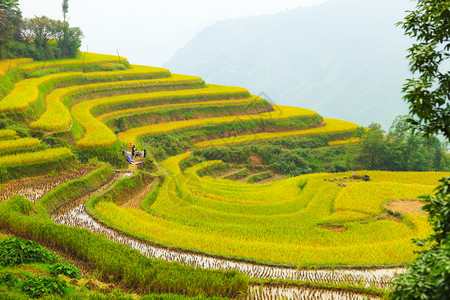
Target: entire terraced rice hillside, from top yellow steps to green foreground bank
point(211, 209)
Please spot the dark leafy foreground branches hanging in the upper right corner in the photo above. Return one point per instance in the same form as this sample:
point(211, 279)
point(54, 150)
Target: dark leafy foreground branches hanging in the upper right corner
point(428, 94)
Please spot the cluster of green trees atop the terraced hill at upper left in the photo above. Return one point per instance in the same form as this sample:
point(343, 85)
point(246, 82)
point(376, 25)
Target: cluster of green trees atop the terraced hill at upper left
point(40, 38)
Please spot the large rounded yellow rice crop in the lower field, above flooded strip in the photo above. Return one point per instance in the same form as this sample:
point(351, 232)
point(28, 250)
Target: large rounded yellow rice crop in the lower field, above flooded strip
point(278, 222)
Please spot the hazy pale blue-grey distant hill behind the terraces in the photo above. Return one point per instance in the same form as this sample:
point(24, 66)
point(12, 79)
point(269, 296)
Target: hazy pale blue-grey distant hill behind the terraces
point(345, 59)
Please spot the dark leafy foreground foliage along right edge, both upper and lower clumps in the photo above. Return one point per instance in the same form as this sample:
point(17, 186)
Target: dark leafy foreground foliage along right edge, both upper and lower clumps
point(428, 97)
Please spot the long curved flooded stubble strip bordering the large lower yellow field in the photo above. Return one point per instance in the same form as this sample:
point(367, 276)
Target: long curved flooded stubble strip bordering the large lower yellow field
point(376, 278)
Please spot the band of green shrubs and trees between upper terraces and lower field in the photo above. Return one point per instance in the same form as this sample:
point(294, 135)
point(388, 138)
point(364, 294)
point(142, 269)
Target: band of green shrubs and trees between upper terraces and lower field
point(397, 150)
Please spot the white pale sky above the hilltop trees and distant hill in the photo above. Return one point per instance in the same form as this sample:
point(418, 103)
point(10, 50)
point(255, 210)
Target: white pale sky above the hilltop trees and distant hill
point(150, 32)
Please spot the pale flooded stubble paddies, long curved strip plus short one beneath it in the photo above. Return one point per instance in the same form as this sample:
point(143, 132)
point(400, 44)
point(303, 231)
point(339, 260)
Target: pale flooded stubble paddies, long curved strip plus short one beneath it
point(78, 216)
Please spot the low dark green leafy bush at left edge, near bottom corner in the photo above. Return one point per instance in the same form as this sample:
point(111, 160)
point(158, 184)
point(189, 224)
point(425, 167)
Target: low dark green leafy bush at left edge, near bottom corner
point(14, 251)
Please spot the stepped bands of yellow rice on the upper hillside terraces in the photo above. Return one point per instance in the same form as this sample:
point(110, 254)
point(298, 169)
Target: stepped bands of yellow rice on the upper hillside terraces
point(170, 91)
